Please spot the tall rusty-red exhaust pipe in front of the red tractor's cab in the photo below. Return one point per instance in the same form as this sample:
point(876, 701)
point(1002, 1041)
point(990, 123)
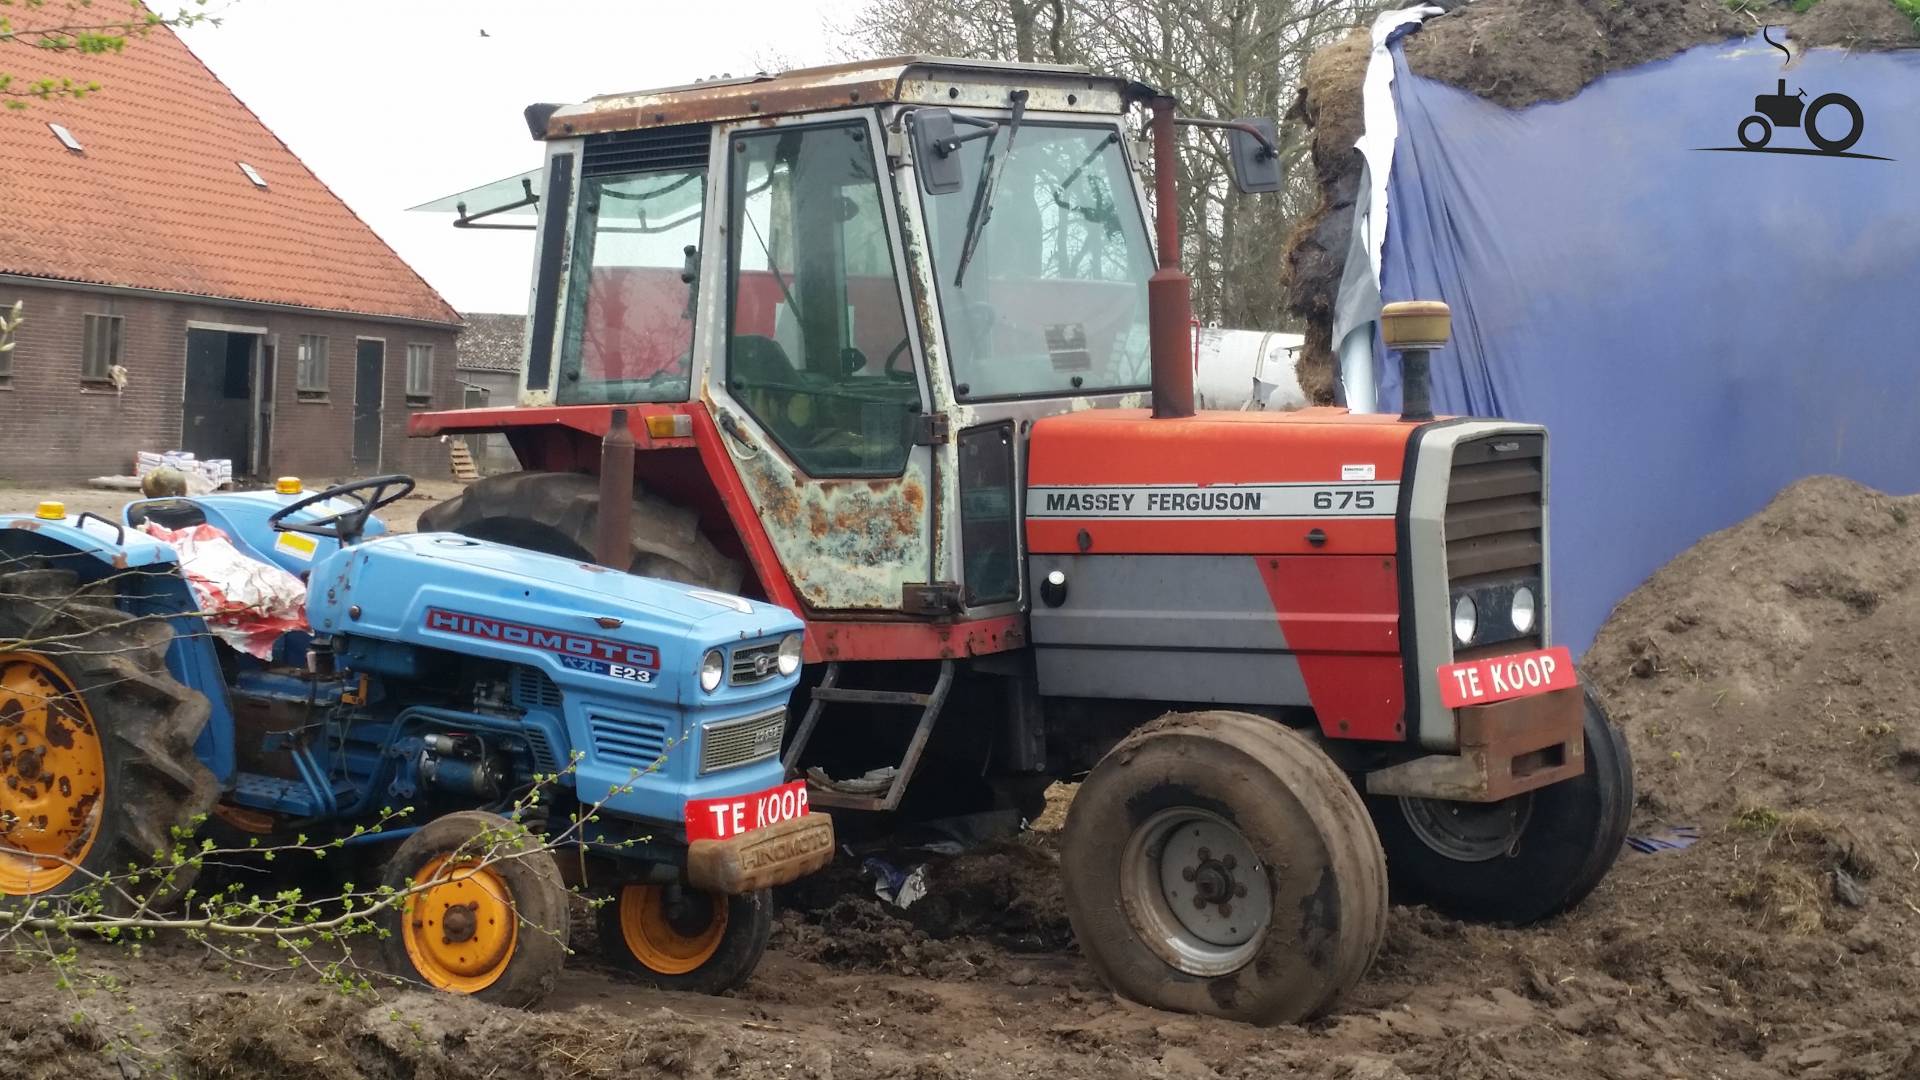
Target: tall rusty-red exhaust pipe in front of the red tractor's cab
point(1170, 291)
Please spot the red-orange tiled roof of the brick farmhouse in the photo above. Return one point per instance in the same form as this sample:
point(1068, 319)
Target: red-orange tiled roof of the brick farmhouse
point(158, 201)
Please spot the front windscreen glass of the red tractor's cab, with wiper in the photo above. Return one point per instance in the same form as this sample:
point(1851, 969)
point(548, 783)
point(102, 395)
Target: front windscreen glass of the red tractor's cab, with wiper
point(1055, 297)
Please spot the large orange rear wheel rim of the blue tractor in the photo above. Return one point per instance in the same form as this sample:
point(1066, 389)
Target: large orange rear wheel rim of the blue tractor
point(53, 775)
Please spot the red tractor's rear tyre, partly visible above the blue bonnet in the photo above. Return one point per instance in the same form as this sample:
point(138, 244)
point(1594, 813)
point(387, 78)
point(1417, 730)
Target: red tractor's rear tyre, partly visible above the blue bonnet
point(558, 514)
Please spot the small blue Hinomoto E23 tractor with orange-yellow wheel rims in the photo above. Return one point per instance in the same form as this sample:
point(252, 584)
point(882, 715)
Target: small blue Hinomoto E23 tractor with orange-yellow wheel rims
point(441, 674)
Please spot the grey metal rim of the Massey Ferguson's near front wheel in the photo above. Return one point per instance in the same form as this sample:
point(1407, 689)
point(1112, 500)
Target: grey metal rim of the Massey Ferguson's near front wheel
point(1195, 891)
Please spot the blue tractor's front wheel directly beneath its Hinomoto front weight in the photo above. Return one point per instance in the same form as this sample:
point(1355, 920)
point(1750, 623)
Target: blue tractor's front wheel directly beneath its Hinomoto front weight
point(681, 939)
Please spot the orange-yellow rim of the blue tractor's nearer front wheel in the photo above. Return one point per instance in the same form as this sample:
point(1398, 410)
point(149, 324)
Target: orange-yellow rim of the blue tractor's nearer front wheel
point(462, 931)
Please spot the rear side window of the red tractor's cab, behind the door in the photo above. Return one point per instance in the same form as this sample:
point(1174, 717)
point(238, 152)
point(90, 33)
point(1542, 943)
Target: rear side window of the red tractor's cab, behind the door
point(629, 293)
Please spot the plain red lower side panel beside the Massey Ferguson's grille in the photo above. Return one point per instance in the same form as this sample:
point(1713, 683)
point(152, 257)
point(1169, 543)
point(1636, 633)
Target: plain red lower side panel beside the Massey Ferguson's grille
point(1341, 618)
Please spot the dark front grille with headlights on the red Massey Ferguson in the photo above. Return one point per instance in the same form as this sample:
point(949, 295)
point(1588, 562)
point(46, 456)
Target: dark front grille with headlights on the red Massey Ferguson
point(1495, 535)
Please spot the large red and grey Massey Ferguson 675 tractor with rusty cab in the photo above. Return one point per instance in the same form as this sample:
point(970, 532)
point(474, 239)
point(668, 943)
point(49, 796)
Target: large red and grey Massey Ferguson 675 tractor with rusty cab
point(890, 345)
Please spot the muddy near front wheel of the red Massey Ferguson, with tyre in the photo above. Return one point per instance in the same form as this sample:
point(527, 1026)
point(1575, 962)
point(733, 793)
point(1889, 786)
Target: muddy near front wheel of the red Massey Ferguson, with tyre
point(1220, 864)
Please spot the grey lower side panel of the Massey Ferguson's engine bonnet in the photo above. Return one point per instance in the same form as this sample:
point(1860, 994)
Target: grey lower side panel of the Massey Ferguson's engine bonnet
point(1163, 627)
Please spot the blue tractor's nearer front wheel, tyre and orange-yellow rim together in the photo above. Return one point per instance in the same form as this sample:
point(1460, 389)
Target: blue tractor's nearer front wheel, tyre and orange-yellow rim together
point(487, 912)
